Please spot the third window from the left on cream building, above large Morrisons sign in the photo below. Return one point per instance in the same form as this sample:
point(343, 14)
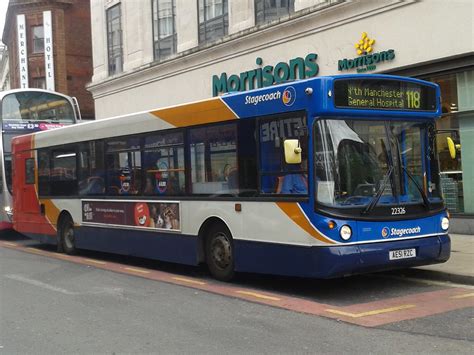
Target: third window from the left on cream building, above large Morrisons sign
point(205, 23)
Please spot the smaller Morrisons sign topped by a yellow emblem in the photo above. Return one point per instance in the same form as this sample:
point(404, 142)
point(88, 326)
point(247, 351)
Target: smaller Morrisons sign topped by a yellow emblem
point(367, 60)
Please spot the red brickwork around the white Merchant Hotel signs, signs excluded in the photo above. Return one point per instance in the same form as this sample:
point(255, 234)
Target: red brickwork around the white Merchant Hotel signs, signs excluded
point(72, 46)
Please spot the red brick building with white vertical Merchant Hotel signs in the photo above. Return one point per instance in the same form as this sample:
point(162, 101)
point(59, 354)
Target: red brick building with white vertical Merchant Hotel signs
point(49, 45)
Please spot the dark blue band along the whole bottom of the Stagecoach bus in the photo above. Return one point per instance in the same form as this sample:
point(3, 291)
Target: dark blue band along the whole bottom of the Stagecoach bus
point(266, 258)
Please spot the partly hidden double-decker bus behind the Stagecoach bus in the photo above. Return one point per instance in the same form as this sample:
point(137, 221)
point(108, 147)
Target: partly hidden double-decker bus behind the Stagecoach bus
point(25, 111)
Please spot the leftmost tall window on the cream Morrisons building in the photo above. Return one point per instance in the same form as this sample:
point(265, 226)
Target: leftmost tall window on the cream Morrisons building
point(114, 51)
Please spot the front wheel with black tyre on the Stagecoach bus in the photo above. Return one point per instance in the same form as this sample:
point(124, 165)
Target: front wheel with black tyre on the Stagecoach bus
point(220, 252)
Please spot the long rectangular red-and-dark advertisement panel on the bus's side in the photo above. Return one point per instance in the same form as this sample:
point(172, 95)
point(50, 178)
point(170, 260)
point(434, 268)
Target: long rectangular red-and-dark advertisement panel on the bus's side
point(153, 215)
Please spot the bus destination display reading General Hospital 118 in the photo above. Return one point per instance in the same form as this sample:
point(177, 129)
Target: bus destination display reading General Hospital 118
point(384, 94)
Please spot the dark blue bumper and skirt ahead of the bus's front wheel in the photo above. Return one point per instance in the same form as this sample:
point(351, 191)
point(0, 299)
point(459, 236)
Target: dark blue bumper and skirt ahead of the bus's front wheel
point(342, 260)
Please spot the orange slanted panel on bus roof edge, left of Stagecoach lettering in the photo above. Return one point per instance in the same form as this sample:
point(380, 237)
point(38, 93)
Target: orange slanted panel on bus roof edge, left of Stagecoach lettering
point(208, 111)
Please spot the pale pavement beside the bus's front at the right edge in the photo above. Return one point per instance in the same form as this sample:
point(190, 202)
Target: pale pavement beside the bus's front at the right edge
point(460, 266)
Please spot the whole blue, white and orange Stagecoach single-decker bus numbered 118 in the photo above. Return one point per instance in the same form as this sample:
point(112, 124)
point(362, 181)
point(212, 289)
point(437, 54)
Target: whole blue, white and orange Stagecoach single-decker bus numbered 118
point(324, 177)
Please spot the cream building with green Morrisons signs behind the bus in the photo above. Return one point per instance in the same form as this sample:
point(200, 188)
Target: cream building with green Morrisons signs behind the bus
point(156, 53)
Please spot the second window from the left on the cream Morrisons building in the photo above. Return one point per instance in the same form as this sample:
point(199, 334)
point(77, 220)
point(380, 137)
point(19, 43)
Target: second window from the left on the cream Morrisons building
point(164, 45)
